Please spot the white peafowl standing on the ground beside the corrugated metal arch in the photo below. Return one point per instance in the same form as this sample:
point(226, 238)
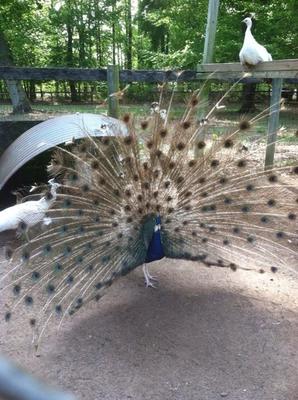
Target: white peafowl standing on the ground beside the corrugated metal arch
point(23, 216)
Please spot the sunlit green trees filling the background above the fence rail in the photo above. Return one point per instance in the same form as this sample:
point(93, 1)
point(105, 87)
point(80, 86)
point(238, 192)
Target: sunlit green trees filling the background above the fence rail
point(140, 34)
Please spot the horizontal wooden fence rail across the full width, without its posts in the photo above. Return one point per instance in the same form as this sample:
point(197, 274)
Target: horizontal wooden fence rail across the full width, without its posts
point(286, 69)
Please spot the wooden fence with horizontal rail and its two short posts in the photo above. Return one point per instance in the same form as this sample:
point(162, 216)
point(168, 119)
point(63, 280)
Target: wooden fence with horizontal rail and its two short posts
point(277, 71)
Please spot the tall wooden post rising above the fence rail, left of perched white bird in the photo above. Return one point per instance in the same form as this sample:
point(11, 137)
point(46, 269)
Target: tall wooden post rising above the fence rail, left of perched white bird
point(207, 58)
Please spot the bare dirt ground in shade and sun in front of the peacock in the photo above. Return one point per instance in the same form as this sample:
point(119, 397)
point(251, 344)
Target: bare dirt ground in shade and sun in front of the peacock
point(204, 334)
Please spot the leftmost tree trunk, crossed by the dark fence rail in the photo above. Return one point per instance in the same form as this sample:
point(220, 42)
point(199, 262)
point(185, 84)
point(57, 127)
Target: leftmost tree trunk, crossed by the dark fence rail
point(19, 100)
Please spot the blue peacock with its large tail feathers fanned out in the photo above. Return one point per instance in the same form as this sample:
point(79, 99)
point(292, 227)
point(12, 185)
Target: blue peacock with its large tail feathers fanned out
point(126, 201)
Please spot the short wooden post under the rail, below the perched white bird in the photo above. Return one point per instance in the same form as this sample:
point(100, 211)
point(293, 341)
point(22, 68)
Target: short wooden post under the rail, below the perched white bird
point(273, 122)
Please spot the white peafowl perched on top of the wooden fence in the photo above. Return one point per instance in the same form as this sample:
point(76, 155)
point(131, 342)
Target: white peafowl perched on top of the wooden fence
point(252, 52)
